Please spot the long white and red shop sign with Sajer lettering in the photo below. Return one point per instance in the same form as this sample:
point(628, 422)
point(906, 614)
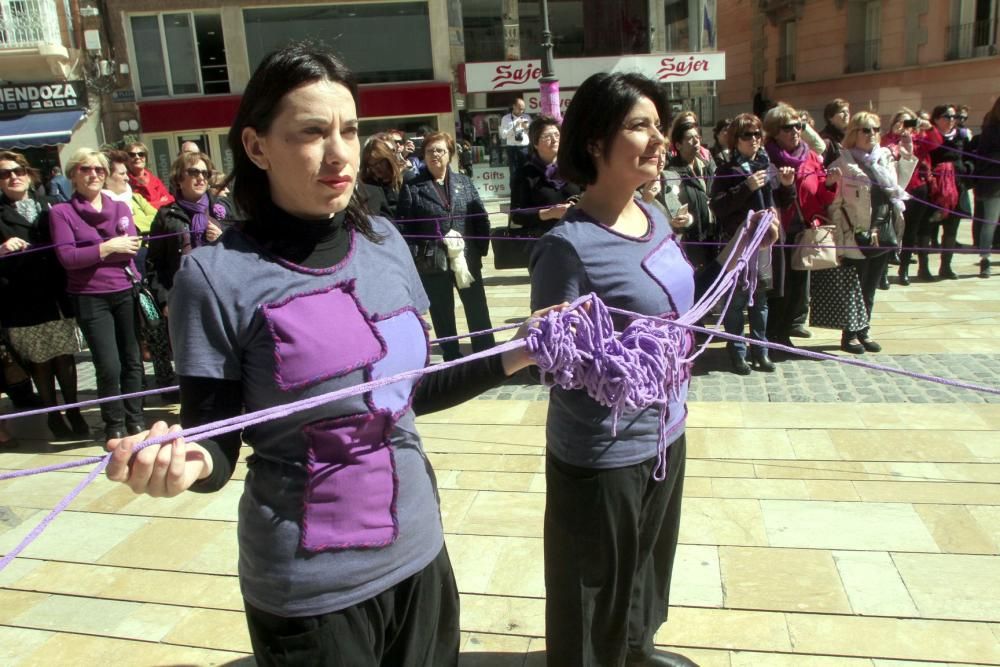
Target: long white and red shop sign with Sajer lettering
point(571, 72)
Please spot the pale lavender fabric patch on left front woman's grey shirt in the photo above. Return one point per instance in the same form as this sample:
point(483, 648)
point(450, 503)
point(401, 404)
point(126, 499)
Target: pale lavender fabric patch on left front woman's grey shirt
point(406, 349)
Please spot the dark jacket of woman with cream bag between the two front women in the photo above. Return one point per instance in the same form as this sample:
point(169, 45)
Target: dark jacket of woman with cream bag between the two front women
point(460, 208)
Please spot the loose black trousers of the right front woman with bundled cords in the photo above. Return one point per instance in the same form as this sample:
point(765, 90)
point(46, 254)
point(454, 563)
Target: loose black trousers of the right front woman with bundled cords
point(610, 542)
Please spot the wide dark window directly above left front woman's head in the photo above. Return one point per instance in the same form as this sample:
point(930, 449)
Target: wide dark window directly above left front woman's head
point(379, 42)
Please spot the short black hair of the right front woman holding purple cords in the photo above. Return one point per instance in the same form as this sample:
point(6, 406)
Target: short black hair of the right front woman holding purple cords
point(594, 117)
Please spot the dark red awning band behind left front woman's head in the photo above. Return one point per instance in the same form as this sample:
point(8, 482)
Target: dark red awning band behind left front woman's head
point(388, 99)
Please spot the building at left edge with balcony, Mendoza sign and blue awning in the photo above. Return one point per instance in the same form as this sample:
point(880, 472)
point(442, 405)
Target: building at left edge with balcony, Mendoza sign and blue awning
point(48, 108)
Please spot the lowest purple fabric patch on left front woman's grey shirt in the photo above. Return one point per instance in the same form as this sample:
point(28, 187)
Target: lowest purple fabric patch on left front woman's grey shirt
point(350, 499)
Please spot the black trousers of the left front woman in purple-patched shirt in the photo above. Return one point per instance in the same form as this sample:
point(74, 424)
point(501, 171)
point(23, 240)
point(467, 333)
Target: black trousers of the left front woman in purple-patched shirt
point(413, 624)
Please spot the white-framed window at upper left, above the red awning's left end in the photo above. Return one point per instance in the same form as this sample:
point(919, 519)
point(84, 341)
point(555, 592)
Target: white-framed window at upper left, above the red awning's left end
point(179, 54)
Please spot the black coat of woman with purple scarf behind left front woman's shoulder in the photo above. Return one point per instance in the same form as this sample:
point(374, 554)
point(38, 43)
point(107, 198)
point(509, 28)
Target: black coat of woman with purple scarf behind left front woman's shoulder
point(164, 257)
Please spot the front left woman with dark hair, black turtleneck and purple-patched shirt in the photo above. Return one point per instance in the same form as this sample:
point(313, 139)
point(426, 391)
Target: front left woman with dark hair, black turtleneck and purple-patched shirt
point(342, 557)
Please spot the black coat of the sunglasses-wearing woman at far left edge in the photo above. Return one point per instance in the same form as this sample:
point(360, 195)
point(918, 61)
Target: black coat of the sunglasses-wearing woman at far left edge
point(32, 285)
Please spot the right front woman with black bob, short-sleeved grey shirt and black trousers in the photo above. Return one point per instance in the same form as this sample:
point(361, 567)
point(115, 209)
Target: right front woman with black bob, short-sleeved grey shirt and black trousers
point(613, 506)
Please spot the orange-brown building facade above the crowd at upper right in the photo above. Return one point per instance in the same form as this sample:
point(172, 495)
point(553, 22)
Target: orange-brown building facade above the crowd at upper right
point(877, 54)
